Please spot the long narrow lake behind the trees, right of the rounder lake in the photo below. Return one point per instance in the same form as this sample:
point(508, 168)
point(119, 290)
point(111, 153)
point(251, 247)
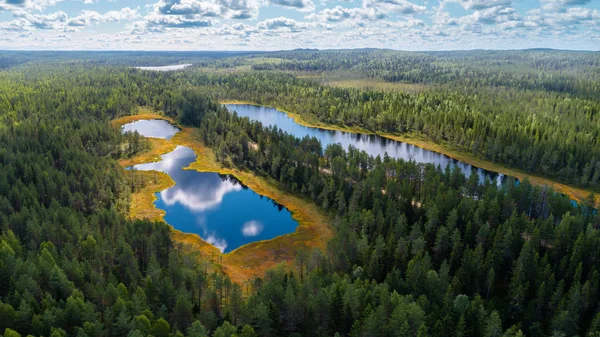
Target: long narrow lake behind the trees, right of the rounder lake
point(372, 144)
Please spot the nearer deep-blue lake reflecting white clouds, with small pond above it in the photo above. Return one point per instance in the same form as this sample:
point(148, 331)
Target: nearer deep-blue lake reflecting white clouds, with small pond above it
point(220, 209)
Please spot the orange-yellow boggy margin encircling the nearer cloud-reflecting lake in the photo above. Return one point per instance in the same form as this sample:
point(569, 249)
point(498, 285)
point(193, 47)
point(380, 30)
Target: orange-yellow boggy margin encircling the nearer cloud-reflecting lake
point(250, 260)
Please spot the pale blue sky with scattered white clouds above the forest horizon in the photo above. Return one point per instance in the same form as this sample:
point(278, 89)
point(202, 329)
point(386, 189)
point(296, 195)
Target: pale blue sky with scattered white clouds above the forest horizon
point(289, 24)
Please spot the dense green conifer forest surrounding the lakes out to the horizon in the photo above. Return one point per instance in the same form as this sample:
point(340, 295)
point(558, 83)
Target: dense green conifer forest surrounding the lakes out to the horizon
point(418, 250)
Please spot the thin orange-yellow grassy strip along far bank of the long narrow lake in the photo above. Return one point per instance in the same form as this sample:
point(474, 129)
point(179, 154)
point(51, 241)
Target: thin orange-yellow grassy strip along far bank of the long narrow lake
point(577, 194)
